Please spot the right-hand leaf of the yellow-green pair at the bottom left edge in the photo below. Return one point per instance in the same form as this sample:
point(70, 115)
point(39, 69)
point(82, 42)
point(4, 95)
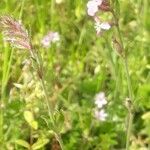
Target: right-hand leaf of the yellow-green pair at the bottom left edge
point(40, 143)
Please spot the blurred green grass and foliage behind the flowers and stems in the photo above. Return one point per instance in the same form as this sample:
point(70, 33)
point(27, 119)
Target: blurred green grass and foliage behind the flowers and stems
point(81, 65)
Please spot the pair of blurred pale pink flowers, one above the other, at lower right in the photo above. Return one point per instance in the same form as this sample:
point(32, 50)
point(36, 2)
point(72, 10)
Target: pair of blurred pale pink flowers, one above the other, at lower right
point(100, 101)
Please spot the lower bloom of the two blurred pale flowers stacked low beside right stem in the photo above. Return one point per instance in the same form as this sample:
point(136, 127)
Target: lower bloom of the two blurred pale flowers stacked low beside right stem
point(101, 114)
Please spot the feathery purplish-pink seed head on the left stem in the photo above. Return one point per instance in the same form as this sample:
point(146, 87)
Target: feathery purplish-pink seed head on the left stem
point(15, 33)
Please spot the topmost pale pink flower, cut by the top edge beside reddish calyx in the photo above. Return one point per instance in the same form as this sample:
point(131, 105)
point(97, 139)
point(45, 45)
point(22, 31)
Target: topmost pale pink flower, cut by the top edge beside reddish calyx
point(92, 6)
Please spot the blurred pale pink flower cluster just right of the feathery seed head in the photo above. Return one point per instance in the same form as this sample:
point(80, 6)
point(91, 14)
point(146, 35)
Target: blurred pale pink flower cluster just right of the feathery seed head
point(51, 37)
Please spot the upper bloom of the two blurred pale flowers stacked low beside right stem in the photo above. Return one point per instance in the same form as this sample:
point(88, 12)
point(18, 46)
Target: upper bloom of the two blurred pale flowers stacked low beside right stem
point(100, 100)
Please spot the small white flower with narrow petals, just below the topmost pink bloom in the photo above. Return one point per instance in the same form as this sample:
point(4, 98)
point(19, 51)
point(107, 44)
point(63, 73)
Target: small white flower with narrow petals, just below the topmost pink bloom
point(101, 26)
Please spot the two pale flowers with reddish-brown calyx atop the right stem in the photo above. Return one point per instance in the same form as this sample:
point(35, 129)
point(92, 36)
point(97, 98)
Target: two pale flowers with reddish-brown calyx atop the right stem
point(93, 6)
